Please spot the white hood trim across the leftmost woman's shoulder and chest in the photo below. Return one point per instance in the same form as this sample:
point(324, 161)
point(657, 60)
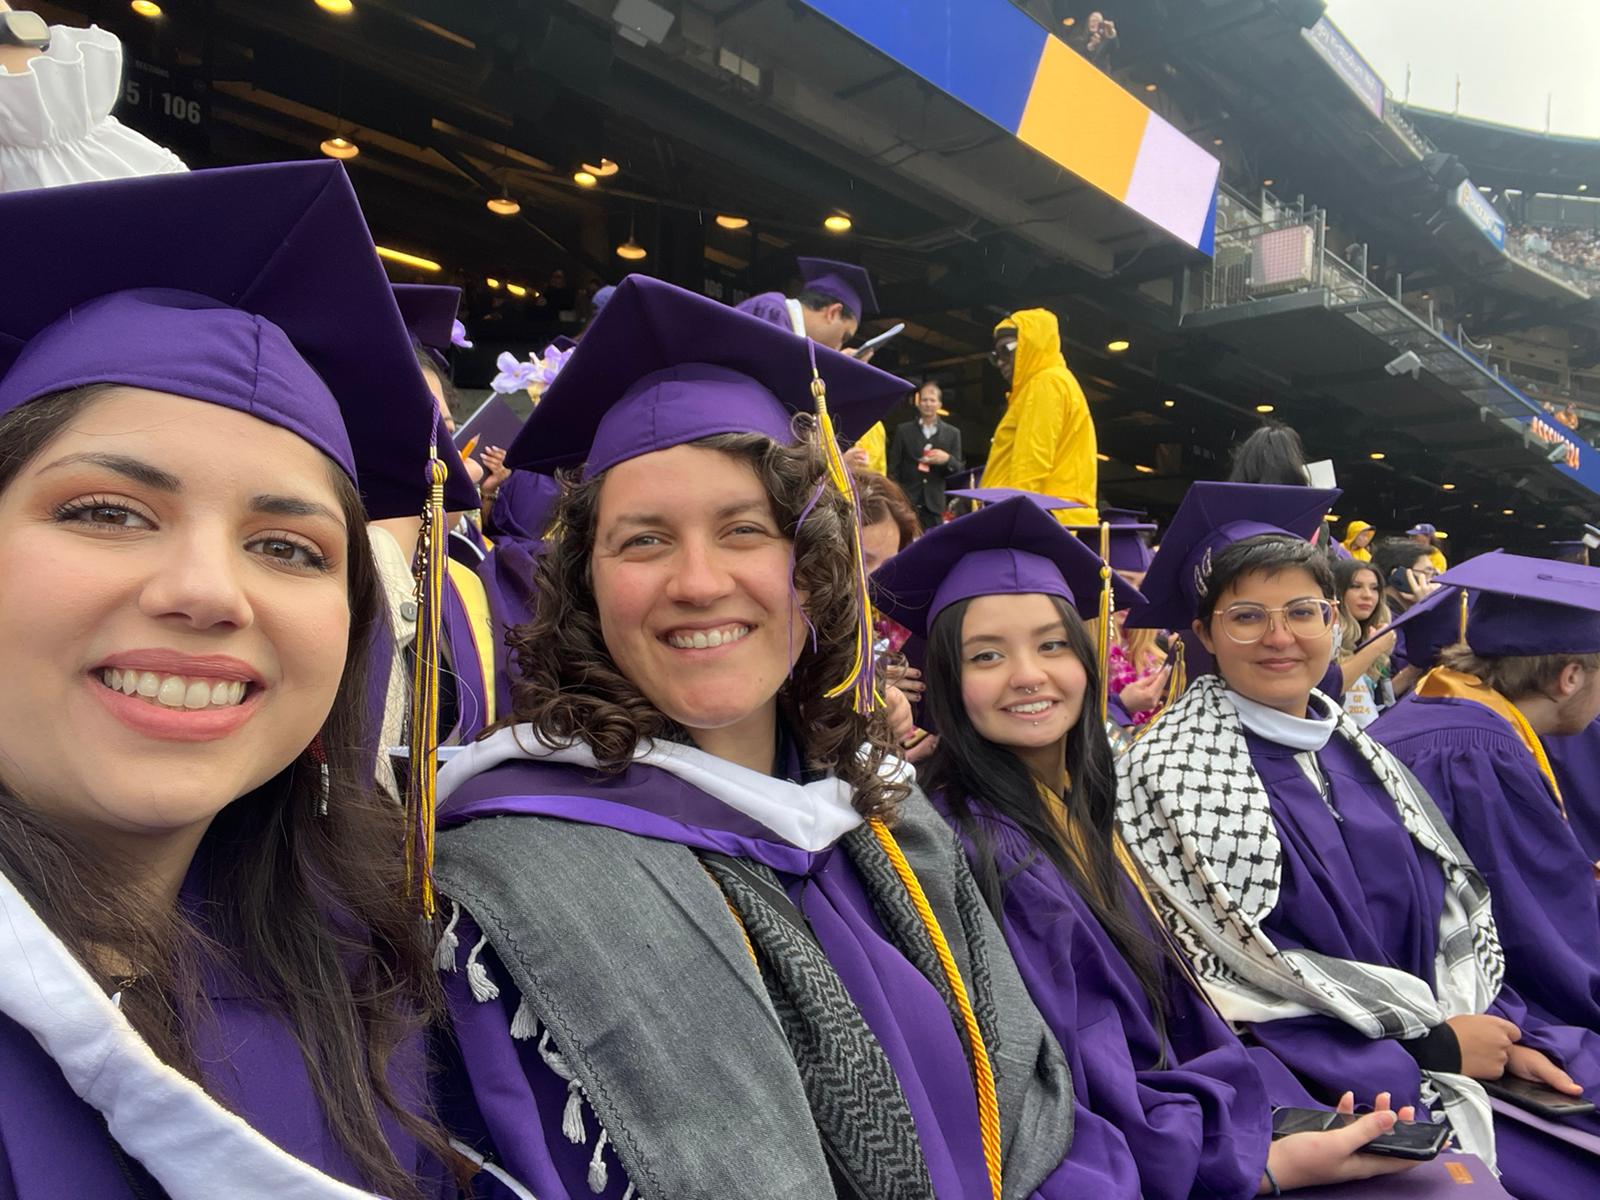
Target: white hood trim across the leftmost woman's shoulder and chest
point(183, 1137)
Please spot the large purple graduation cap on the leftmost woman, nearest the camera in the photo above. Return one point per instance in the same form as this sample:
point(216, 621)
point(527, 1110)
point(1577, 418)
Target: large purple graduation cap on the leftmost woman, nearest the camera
point(249, 287)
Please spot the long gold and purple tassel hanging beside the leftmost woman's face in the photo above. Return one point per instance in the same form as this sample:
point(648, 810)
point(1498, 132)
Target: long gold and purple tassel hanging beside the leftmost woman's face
point(422, 791)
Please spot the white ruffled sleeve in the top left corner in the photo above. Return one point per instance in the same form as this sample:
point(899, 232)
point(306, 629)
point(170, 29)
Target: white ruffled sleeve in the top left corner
point(55, 118)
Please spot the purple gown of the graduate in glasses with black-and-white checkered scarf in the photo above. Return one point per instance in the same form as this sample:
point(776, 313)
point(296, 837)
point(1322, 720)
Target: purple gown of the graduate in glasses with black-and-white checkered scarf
point(1386, 911)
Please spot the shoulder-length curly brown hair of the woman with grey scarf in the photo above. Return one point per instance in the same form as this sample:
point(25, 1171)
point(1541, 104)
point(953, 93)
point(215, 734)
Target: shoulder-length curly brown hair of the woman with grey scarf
point(570, 689)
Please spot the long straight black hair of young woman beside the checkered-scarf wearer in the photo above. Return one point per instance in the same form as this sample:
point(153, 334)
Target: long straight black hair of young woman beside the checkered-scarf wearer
point(980, 778)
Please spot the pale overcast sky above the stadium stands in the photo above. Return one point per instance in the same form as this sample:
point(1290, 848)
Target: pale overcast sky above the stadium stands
point(1510, 55)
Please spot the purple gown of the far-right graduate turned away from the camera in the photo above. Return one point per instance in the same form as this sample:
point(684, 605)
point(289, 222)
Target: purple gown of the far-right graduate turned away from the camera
point(1500, 806)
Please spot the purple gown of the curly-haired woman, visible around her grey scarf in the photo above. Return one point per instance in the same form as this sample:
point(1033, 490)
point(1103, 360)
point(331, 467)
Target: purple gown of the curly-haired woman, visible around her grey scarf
point(519, 1100)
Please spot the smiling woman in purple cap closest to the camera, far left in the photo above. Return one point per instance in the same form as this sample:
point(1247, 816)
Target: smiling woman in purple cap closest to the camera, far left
point(193, 855)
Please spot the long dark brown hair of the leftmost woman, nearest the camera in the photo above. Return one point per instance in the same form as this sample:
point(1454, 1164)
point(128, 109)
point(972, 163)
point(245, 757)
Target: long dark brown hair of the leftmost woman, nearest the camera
point(306, 911)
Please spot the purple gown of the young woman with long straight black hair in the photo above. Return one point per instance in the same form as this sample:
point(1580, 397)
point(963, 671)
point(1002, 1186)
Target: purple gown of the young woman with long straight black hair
point(1196, 1127)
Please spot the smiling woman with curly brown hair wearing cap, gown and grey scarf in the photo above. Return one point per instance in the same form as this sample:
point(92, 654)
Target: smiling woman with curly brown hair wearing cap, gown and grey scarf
point(705, 938)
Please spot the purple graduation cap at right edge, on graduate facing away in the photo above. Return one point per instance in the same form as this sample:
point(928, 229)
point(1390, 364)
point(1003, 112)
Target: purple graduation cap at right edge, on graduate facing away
point(1529, 606)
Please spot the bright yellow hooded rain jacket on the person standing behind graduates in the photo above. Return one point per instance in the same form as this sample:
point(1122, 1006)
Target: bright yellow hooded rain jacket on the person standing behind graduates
point(1046, 441)
